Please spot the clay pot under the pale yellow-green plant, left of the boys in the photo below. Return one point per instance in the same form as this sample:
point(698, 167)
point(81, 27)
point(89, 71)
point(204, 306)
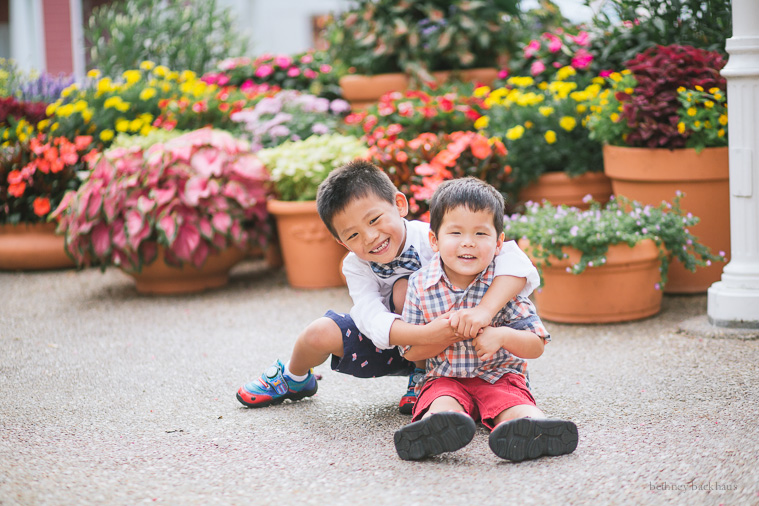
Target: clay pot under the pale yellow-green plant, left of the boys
point(313, 258)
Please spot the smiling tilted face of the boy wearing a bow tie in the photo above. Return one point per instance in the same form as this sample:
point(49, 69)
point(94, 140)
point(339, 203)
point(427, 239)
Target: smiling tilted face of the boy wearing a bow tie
point(373, 228)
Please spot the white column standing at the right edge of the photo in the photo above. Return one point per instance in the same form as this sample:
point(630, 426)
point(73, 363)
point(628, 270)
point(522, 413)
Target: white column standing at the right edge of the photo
point(734, 301)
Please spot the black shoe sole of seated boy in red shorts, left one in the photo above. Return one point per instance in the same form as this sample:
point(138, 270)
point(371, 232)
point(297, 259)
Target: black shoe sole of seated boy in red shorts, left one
point(436, 434)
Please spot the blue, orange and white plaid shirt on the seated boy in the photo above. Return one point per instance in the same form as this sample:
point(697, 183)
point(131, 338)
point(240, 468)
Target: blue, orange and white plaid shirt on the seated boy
point(430, 294)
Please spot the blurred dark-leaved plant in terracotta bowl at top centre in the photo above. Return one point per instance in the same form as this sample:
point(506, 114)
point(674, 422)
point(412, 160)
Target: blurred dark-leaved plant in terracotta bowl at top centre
point(401, 43)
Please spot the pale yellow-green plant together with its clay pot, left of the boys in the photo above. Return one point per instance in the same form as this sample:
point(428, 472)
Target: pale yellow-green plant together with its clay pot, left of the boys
point(312, 256)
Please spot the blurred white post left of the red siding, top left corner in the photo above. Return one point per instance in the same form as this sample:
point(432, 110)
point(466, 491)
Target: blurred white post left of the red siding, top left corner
point(27, 34)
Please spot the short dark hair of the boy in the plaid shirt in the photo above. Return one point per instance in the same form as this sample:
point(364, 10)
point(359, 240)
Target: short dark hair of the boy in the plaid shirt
point(470, 192)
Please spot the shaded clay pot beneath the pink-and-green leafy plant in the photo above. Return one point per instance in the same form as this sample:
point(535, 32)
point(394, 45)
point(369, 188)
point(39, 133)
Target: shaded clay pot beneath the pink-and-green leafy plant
point(160, 278)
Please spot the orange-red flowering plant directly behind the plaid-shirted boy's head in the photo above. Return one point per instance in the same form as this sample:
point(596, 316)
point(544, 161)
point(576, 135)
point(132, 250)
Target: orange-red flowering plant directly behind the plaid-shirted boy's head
point(417, 167)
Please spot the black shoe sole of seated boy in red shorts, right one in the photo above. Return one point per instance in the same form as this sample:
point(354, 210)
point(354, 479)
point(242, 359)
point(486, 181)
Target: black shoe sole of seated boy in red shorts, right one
point(529, 438)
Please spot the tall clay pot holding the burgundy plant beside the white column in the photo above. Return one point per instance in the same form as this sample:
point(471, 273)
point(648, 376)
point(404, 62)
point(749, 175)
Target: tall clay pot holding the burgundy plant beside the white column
point(652, 175)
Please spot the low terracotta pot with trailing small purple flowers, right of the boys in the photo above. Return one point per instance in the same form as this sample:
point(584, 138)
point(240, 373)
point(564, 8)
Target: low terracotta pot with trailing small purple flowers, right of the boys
point(608, 263)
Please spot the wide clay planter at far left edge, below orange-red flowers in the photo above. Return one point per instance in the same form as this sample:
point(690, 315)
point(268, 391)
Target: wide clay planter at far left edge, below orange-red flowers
point(31, 247)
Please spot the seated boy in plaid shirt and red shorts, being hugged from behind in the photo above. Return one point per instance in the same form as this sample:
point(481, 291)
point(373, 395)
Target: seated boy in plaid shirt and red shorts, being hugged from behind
point(484, 378)
